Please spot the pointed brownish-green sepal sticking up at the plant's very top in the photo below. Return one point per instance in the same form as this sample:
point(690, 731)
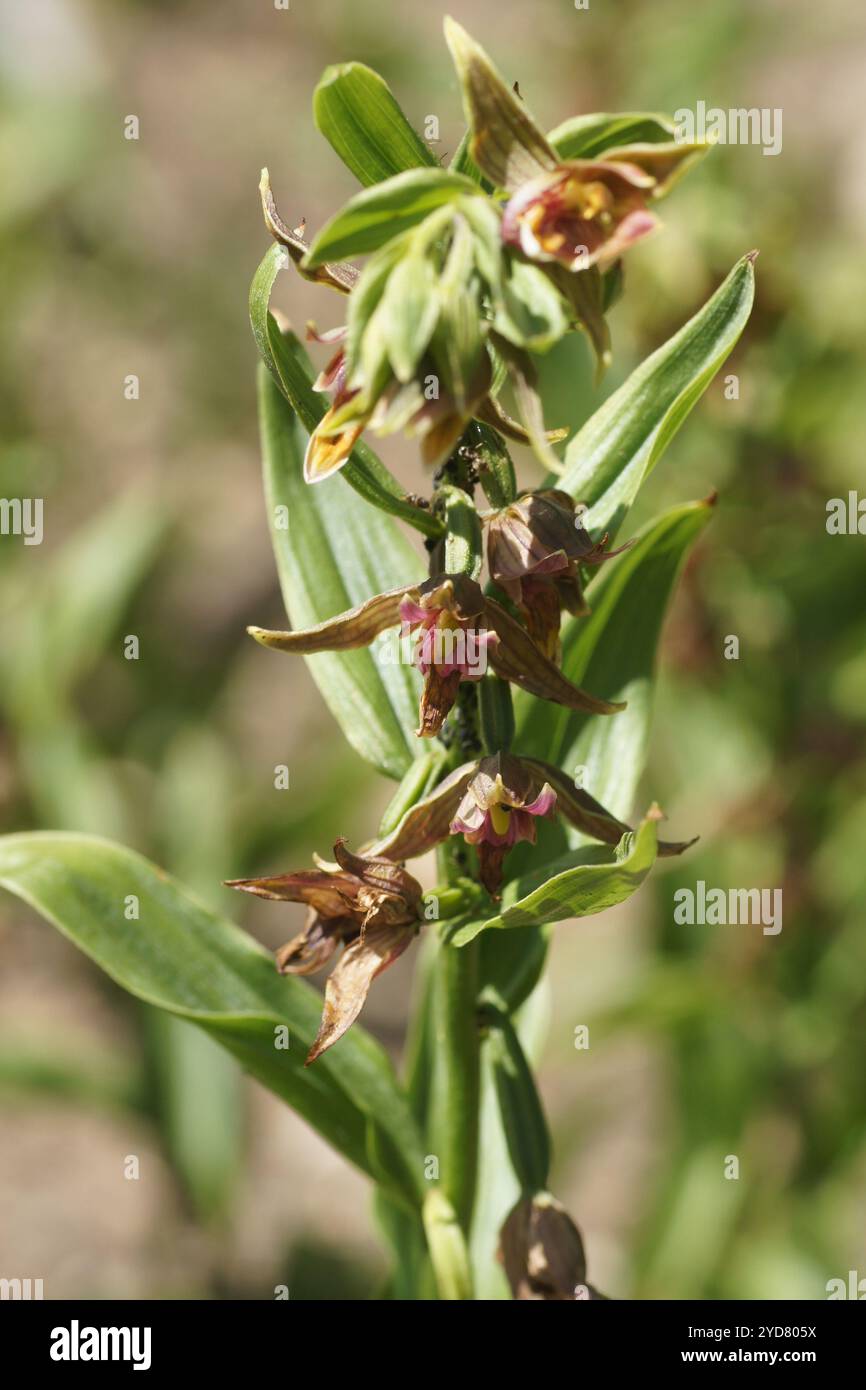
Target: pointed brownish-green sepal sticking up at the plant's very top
point(505, 142)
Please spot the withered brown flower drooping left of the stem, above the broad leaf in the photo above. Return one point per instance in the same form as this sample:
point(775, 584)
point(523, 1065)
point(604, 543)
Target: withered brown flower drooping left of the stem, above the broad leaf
point(363, 903)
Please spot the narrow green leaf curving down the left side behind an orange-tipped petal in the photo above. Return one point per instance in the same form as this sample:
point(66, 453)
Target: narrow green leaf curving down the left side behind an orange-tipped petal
point(293, 372)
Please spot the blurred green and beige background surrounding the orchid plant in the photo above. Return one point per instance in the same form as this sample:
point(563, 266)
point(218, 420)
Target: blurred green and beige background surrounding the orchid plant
point(134, 258)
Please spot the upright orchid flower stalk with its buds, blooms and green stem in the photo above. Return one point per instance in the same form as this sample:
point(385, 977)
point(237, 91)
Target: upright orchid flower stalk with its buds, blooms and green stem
point(469, 277)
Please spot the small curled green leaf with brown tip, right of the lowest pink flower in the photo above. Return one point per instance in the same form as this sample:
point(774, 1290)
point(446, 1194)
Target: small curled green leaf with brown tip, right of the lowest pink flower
point(575, 886)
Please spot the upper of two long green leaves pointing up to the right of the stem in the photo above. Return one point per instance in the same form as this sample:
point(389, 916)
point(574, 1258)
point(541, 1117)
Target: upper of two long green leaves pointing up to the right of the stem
point(608, 461)
